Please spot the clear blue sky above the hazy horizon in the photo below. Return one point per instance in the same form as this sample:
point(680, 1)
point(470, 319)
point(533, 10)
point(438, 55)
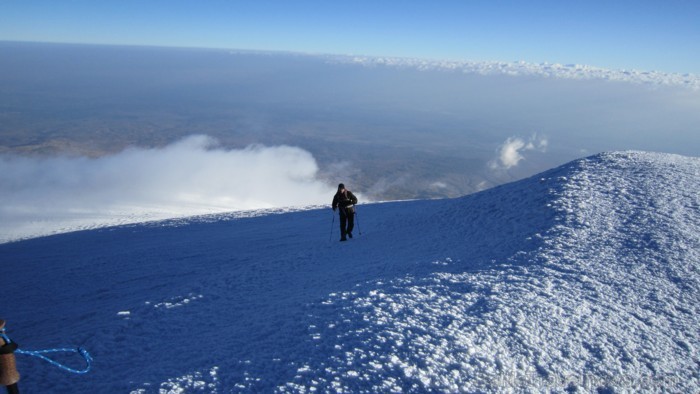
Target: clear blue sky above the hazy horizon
point(643, 35)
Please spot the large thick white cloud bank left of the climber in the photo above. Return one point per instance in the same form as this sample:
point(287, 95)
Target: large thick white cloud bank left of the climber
point(192, 176)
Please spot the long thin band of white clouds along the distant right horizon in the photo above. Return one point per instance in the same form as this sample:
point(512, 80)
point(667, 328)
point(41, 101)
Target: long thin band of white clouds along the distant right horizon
point(520, 68)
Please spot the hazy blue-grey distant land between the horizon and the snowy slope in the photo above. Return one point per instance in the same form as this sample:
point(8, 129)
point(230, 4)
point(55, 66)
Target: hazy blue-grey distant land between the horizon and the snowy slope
point(390, 131)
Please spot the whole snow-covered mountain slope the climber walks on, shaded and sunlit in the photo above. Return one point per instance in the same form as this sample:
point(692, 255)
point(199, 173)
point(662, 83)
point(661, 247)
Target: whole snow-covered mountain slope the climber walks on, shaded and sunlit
point(584, 277)
